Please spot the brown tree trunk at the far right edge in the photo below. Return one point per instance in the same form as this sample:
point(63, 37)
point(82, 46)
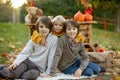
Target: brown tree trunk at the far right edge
point(117, 21)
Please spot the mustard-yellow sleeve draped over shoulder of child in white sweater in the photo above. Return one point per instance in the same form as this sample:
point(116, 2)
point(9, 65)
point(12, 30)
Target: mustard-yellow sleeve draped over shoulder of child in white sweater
point(36, 37)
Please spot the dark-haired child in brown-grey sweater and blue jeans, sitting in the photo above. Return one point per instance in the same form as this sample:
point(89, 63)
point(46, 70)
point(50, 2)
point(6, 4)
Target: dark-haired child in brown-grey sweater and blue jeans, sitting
point(66, 59)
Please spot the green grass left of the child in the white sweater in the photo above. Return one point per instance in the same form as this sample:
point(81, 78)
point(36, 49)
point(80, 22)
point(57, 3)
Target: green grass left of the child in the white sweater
point(13, 34)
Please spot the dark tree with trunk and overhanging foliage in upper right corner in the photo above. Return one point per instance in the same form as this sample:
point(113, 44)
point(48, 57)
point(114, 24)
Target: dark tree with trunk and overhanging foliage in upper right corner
point(112, 5)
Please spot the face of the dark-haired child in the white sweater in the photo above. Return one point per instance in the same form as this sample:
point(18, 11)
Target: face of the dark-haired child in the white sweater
point(43, 30)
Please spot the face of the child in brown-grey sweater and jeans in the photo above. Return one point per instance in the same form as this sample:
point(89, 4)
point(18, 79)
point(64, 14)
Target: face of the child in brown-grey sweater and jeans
point(71, 31)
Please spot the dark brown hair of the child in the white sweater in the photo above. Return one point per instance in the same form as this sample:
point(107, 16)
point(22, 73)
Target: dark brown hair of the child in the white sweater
point(46, 21)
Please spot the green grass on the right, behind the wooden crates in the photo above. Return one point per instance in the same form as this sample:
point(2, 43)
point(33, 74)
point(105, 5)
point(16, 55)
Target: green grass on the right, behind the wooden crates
point(109, 39)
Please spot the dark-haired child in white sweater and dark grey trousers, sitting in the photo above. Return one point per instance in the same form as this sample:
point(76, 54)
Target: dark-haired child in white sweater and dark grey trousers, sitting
point(33, 59)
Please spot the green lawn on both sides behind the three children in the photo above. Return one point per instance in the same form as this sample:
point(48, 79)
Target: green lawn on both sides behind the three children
point(15, 36)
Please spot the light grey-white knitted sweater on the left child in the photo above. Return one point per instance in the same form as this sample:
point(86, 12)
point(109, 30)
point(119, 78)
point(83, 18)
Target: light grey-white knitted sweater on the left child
point(39, 54)
